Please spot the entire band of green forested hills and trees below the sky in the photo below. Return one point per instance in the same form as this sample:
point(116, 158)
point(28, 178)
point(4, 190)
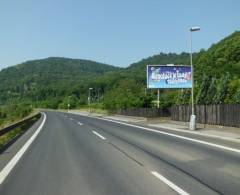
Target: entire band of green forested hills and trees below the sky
point(52, 82)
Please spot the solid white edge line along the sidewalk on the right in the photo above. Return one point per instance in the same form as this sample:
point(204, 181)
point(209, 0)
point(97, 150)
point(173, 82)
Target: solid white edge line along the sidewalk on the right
point(173, 135)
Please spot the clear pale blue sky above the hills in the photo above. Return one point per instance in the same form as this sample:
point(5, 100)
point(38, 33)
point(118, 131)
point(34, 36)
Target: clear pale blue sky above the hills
point(116, 32)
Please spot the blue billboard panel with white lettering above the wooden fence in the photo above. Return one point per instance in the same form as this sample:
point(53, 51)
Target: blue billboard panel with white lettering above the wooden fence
point(167, 77)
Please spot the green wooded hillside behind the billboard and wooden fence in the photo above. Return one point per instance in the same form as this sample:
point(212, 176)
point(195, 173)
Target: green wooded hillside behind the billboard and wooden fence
point(217, 78)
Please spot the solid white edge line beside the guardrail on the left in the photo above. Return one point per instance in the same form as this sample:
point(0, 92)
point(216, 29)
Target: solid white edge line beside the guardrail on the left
point(7, 169)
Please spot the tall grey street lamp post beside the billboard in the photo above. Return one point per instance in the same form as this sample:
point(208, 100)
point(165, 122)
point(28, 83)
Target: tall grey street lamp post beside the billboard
point(192, 125)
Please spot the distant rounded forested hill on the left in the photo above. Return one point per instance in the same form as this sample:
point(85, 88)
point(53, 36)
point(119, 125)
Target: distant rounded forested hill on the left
point(49, 77)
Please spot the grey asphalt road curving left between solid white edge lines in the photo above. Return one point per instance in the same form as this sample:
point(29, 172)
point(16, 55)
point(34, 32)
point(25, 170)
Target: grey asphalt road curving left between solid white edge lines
point(74, 155)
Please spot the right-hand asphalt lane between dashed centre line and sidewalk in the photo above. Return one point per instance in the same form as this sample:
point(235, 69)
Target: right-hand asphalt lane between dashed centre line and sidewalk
point(215, 168)
